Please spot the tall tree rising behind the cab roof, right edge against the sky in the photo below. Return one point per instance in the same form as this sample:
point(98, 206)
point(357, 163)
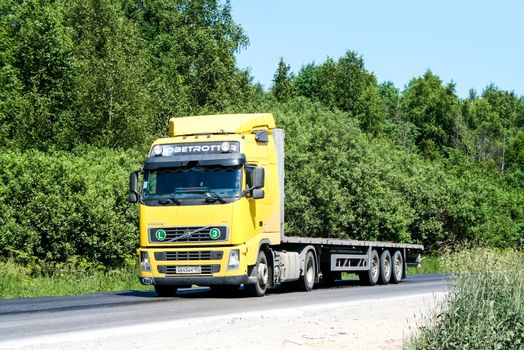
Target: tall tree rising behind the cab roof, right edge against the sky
point(192, 46)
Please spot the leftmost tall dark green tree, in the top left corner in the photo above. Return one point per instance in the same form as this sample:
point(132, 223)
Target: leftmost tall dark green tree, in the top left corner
point(36, 68)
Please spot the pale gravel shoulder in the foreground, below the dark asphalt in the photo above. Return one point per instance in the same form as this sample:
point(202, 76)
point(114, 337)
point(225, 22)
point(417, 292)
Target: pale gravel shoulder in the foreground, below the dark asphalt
point(372, 324)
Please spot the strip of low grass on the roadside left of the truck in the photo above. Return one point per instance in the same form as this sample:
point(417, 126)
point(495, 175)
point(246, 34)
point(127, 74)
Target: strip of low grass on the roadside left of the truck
point(17, 281)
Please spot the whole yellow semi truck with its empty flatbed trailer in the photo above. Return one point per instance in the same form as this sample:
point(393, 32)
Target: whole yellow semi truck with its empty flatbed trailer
point(211, 212)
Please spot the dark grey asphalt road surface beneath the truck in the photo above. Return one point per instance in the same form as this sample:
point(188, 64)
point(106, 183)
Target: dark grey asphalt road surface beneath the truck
point(22, 318)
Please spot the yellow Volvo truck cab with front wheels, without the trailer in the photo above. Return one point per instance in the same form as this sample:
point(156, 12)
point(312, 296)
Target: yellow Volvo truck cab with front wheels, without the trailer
point(209, 198)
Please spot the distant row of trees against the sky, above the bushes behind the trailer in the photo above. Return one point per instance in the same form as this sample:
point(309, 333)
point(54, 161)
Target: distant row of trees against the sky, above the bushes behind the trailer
point(427, 114)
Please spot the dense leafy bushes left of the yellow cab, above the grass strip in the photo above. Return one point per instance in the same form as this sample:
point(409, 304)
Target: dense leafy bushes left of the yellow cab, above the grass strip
point(54, 207)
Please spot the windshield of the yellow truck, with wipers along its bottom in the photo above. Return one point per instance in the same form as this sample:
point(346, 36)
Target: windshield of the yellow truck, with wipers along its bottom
point(196, 182)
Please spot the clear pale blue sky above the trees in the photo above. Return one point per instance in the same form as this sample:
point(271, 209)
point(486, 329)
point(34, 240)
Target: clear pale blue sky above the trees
point(472, 43)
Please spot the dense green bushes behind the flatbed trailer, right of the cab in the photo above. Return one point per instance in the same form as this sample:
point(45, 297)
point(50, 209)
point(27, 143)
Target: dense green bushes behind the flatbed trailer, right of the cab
point(340, 183)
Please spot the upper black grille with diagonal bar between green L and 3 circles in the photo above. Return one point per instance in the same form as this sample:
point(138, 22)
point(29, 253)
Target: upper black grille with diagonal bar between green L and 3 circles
point(188, 234)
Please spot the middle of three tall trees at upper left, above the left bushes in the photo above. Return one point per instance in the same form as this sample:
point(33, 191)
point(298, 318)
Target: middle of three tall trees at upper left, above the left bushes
point(111, 98)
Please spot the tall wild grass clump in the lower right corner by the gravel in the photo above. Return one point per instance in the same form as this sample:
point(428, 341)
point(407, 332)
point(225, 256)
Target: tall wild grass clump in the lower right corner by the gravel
point(485, 306)
